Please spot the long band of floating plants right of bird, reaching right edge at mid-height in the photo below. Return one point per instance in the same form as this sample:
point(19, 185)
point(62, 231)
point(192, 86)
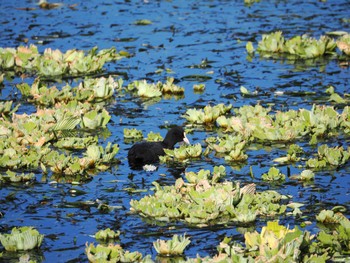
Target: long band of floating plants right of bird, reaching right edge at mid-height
point(254, 123)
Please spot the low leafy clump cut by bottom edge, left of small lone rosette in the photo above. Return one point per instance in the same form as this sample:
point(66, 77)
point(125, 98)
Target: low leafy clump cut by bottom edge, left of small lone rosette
point(110, 253)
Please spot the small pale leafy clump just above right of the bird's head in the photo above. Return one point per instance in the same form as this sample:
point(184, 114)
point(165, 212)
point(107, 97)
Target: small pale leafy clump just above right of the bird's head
point(207, 115)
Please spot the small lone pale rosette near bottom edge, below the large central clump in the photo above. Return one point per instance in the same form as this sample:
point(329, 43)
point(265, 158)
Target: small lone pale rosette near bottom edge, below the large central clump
point(172, 247)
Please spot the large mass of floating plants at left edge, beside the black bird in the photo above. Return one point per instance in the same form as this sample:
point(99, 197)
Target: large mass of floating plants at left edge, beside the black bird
point(39, 141)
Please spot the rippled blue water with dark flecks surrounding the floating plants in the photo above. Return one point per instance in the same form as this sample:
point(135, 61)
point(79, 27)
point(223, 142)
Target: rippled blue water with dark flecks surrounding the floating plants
point(182, 35)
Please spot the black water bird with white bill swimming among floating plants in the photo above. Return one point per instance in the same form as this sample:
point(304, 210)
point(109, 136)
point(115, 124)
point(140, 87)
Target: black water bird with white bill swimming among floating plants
point(148, 152)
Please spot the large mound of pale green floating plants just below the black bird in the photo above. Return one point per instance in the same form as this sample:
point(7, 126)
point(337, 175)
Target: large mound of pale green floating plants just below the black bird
point(204, 202)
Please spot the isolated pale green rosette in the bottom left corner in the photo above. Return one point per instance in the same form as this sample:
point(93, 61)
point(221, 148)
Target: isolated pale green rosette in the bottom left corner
point(22, 238)
